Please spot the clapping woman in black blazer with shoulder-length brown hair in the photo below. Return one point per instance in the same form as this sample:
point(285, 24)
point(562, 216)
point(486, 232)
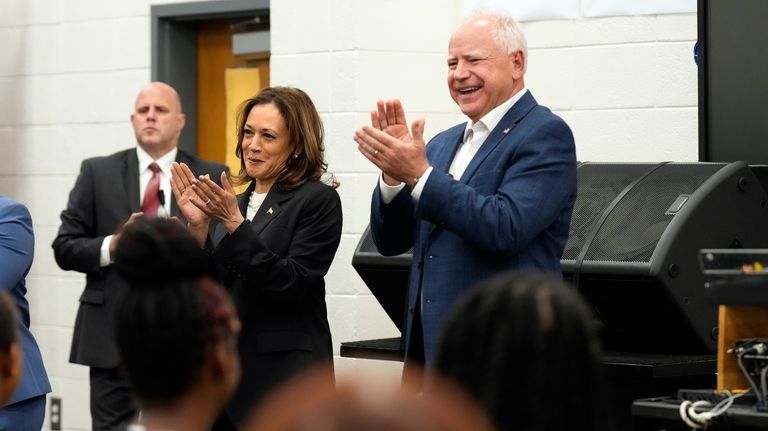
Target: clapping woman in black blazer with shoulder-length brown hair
point(273, 243)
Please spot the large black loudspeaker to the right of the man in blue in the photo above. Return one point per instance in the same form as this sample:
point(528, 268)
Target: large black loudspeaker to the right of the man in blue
point(633, 247)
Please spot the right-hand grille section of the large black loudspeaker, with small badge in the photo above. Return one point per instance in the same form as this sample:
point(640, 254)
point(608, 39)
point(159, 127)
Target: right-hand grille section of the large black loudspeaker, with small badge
point(634, 227)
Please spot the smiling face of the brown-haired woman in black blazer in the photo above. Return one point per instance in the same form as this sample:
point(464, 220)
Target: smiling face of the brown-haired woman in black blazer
point(266, 145)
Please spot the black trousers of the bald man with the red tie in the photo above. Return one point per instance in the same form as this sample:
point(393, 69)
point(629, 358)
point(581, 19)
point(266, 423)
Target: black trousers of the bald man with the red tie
point(113, 407)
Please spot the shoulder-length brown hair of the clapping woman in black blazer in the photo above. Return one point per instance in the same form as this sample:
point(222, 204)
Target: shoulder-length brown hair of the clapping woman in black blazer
point(305, 134)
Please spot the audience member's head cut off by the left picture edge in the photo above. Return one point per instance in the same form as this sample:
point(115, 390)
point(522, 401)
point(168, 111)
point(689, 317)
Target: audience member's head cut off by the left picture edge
point(10, 349)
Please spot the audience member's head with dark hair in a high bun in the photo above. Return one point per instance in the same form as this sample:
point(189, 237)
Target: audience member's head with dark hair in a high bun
point(176, 329)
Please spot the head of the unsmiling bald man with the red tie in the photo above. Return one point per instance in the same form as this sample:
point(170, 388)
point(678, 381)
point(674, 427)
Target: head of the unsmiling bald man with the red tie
point(157, 119)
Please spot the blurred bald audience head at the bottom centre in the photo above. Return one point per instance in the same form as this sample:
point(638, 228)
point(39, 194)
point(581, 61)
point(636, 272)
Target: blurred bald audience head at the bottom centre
point(306, 403)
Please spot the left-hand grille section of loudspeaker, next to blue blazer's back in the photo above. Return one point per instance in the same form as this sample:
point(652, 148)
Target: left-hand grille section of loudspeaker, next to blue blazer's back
point(599, 184)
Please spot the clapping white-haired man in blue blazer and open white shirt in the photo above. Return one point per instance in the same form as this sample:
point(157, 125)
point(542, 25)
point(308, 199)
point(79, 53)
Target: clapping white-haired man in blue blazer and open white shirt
point(492, 194)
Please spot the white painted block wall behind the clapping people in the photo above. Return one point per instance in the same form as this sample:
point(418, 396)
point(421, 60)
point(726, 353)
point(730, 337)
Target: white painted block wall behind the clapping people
point(626, 85)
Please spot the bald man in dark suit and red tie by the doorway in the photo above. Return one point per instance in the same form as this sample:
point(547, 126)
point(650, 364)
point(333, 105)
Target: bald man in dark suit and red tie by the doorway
point(109, 192)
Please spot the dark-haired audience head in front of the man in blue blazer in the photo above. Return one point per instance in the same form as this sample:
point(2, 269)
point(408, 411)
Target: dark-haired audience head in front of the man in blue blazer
point(523, 345)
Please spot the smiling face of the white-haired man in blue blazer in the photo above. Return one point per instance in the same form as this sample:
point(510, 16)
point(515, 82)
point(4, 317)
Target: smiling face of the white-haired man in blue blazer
point(481, 76)
